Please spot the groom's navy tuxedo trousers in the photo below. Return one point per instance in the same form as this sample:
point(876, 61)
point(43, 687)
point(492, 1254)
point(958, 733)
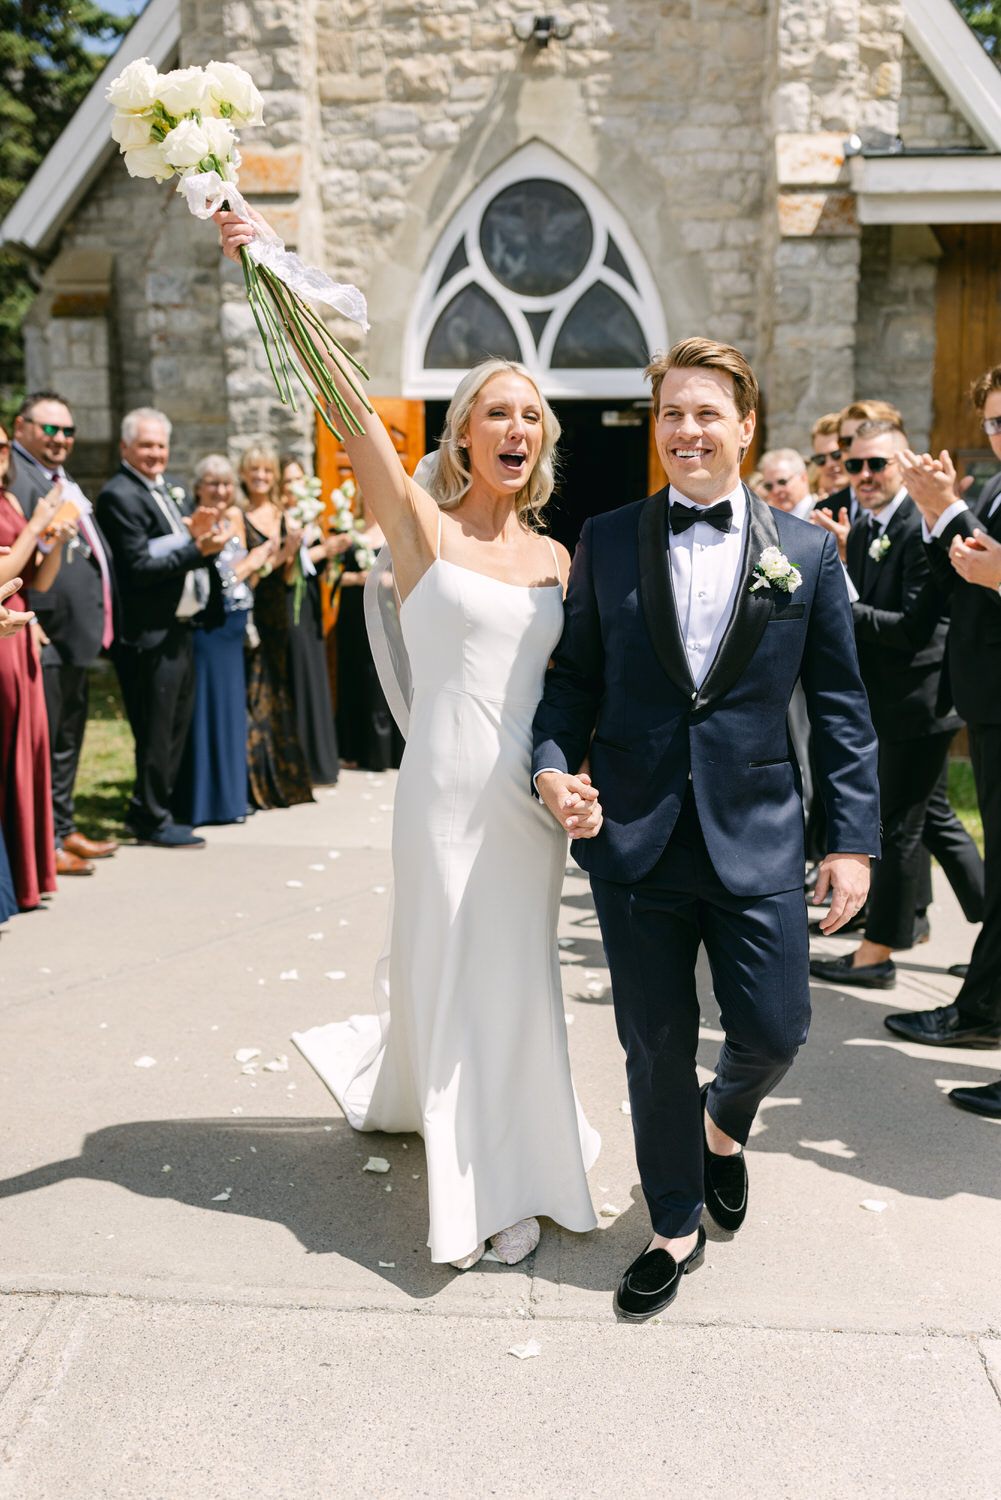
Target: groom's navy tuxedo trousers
point(759, 953)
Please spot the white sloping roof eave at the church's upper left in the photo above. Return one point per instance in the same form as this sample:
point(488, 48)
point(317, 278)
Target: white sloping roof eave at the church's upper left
point(85, 148)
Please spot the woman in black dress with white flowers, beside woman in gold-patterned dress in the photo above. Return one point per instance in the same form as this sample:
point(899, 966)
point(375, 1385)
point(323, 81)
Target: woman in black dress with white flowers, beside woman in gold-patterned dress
point(307, 643)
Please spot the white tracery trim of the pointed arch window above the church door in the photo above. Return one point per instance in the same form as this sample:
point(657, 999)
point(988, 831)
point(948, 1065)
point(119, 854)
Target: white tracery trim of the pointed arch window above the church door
point(534, 160)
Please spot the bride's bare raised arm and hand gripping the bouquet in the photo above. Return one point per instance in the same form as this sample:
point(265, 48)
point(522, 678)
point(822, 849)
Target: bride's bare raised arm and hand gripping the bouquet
point(407, 515)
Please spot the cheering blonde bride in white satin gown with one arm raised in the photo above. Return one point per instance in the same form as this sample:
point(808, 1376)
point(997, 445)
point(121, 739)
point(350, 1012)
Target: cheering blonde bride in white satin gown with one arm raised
point(470, 1048)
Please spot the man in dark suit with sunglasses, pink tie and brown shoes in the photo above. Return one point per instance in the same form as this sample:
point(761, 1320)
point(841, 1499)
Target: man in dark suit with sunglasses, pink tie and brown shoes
point(76, 616)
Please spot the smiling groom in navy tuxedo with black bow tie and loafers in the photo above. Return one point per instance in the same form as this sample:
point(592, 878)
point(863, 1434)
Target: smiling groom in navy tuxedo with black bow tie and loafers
point(690, 619)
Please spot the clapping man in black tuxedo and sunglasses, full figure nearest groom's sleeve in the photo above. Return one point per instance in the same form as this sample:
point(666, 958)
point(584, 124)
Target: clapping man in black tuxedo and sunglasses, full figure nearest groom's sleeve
point(901, 637)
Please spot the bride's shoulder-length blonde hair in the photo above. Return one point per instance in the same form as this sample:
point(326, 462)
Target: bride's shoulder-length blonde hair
point(449, 479)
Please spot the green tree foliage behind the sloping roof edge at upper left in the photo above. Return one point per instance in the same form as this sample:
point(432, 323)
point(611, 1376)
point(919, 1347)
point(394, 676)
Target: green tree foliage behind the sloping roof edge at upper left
point(50, 56)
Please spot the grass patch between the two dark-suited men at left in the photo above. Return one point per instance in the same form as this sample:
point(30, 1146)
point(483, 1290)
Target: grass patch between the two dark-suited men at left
point(107, 766)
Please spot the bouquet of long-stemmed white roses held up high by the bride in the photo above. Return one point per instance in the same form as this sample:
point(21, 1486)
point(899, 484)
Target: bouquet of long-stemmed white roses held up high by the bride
point(185, 122)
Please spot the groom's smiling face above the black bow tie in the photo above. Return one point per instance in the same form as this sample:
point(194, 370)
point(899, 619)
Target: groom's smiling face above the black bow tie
point(700, 433)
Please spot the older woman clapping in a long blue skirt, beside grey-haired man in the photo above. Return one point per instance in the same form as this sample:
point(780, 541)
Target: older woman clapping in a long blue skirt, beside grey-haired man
point(212, 781)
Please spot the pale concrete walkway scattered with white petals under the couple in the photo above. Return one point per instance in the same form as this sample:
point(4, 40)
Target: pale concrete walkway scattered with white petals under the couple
point(205, 1295)
